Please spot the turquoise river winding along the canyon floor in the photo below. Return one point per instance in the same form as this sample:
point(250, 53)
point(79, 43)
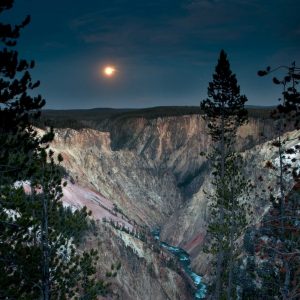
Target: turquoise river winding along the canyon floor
point(184, 259)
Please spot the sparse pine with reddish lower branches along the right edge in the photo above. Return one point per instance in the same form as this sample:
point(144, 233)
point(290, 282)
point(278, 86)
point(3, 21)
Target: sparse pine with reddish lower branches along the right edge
point(277, 255)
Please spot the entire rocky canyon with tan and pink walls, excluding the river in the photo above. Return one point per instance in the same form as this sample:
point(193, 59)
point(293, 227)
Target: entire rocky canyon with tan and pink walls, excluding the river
point(138, 173)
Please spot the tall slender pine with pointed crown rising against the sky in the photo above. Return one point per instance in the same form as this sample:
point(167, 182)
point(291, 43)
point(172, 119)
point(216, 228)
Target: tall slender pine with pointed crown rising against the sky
point(224, 112)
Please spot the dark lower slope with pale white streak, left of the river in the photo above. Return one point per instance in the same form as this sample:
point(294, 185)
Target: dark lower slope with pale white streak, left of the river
point(142, 274)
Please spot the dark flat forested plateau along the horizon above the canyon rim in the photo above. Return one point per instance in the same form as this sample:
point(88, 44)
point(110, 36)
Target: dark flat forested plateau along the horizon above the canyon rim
point(90, 118)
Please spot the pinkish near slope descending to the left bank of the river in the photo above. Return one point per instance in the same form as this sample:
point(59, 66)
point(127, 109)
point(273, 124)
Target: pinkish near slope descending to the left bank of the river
point(144, 270)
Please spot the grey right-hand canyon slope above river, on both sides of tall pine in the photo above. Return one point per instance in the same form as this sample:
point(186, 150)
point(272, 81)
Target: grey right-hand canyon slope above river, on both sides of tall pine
point(191, 222)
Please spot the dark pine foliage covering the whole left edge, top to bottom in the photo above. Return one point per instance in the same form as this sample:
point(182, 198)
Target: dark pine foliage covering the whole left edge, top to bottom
point(39, 238)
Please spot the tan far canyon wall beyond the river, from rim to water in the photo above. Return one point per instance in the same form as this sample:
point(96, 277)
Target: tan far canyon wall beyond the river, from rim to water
point(153, 170)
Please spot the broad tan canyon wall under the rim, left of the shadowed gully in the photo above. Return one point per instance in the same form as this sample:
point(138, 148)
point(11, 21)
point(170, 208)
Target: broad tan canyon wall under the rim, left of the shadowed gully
point(147, 175)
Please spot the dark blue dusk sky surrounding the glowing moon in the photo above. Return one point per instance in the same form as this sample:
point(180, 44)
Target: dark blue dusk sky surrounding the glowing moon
point(165, 51)
